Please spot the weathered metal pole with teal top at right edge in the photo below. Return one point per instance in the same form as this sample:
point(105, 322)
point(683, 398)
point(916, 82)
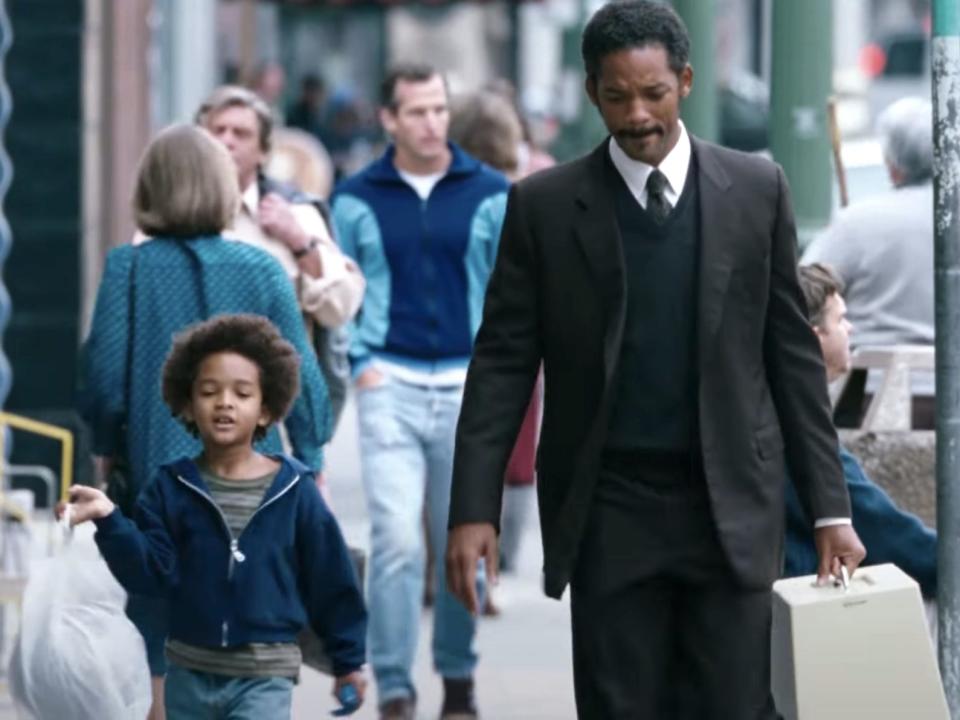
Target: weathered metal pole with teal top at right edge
point(945, 62)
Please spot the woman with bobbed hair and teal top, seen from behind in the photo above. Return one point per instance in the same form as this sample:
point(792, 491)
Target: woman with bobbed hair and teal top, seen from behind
point(183, 272)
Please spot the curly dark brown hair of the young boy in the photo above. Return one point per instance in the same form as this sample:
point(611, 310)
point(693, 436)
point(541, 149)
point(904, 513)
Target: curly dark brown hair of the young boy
point(252, 336)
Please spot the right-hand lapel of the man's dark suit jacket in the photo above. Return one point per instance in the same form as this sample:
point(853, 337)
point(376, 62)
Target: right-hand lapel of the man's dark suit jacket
point(717, 227)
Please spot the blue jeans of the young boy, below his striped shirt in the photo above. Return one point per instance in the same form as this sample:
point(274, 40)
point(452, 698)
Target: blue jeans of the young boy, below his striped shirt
point(191, 695)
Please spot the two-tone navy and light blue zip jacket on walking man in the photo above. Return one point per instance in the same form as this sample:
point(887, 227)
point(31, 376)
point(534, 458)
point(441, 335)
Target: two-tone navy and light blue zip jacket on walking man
point(426, 261)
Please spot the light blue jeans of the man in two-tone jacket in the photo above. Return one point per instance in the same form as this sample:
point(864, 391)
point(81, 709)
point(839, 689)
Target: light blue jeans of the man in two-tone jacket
point(406, 455)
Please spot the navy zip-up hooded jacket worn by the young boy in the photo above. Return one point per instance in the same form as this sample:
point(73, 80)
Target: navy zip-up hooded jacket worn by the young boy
point(289, 565)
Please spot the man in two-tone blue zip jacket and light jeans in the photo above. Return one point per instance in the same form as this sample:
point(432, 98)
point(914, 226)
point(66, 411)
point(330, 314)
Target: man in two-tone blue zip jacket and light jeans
point(423, 223)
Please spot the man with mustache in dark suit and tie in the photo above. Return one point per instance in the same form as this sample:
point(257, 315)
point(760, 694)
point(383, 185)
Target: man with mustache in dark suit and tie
point(656, 280)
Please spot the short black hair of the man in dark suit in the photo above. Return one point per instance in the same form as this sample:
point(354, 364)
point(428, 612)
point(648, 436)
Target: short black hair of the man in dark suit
point(628, 24)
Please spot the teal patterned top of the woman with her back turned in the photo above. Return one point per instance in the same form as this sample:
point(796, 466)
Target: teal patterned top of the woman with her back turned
point(166, 285)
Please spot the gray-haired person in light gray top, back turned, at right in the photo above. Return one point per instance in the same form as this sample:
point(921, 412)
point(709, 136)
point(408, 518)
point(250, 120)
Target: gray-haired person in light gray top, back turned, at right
point(882, 247)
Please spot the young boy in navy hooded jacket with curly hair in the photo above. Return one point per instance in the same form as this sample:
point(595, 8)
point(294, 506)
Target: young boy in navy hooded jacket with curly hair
point(240, 542)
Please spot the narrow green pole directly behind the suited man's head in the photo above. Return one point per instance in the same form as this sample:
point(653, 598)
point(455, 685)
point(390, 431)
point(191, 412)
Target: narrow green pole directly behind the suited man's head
point(701, 109)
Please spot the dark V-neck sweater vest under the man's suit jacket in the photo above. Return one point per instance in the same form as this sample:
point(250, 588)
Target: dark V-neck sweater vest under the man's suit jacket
point(655, 405)
